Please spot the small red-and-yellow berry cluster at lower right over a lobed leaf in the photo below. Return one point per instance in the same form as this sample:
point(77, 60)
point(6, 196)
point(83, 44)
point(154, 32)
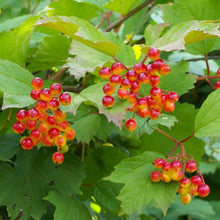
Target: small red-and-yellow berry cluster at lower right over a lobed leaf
point(175, 171)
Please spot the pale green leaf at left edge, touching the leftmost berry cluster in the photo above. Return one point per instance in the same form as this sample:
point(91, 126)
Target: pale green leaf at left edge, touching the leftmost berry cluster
point(15, 83)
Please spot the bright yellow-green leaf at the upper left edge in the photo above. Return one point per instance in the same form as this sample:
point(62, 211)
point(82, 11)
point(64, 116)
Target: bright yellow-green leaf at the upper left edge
point(14, 44)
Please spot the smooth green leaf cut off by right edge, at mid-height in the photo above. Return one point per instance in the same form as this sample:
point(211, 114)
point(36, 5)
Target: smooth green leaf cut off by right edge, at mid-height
point(207, 122)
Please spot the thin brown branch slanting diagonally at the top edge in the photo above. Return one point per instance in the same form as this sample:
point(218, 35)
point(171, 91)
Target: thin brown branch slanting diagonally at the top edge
point(131, 13)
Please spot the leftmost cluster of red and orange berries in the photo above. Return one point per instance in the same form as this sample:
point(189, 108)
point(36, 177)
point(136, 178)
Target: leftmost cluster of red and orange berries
point(45, 123)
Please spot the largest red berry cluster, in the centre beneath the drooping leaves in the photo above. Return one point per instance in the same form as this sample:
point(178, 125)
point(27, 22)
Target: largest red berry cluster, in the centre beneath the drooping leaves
point(129, 82)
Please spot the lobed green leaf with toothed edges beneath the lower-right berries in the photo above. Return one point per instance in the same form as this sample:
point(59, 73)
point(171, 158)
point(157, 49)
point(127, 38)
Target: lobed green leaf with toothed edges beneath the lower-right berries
point(138, 190)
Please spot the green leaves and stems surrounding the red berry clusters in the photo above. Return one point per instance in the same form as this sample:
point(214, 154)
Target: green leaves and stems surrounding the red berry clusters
point(106, 173)
